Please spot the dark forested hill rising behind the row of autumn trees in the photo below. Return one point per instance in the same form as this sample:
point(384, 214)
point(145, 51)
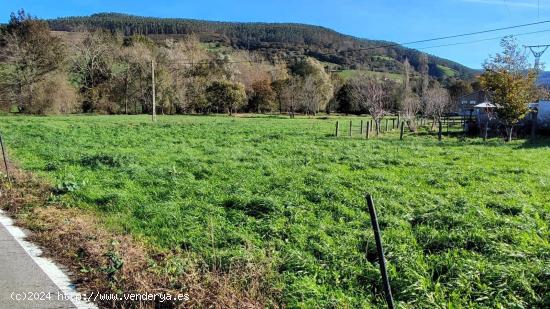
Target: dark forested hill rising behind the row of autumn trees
point(273, 39)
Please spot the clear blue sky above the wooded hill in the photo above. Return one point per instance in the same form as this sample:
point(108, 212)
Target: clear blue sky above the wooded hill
point(392, 20)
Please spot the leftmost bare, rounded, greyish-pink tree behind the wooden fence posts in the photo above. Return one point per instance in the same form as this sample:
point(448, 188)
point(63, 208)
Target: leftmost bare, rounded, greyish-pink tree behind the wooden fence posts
point(370, 92)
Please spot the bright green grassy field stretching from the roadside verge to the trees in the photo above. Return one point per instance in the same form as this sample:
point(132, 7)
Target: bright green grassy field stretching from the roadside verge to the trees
point(465, 223)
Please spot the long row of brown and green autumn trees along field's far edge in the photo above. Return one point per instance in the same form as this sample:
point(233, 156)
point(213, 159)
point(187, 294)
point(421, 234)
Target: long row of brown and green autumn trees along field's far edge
point(104, 72)
